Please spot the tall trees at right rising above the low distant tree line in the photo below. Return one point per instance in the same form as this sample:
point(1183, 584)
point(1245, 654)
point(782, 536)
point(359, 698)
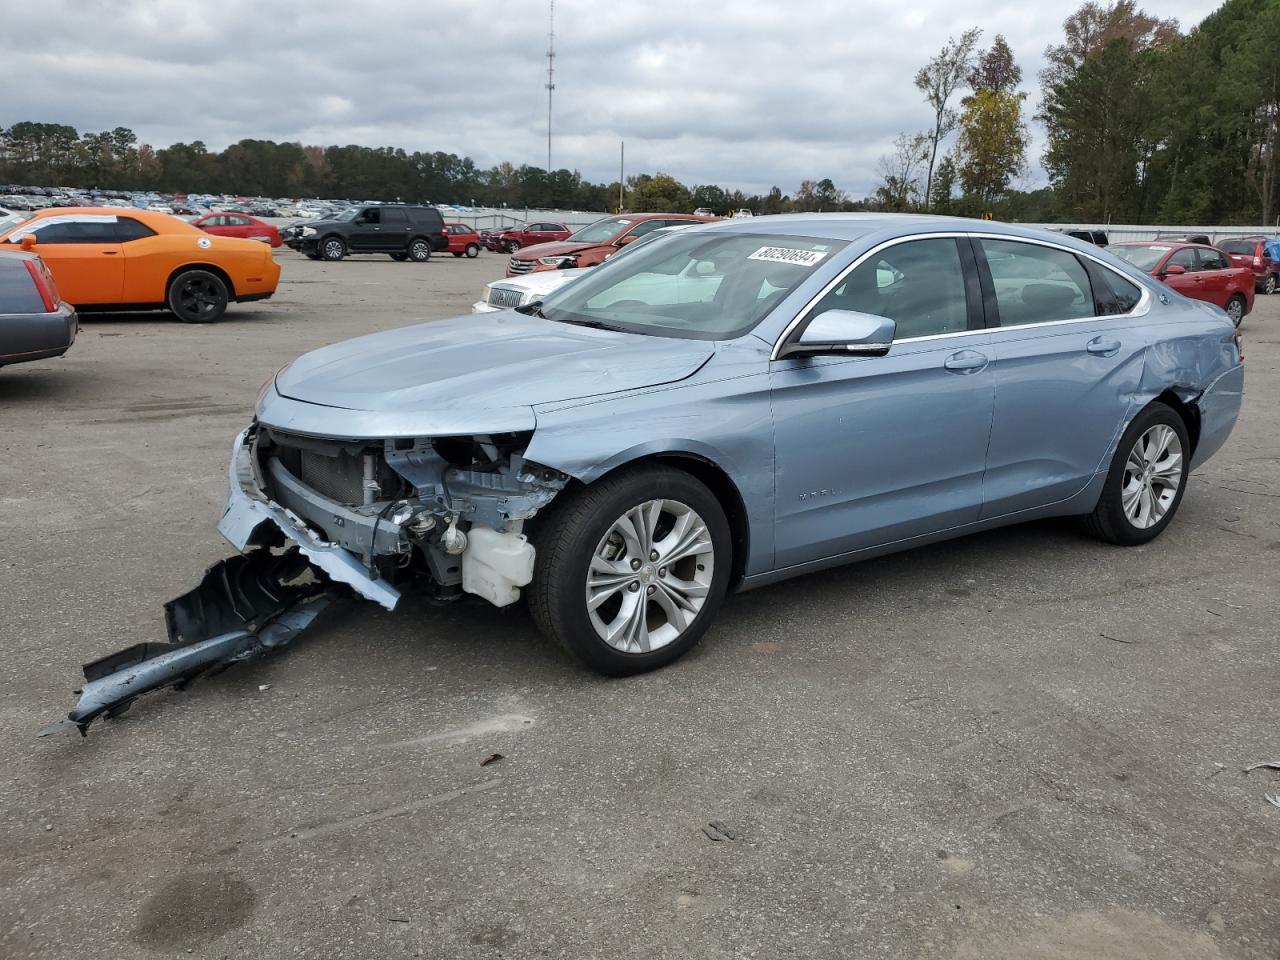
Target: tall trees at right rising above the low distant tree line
point(1145, 124)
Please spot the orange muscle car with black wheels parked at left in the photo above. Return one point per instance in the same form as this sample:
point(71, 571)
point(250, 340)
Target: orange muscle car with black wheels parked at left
point(118, 259)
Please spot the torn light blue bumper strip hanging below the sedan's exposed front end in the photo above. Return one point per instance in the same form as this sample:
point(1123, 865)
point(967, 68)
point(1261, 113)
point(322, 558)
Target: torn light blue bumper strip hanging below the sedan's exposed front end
point(249, 508)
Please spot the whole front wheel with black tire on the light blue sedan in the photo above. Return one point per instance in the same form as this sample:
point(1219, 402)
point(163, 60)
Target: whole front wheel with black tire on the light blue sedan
point(632, 570)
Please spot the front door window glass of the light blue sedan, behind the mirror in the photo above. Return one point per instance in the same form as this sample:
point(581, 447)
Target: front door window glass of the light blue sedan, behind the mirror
point(918, 285)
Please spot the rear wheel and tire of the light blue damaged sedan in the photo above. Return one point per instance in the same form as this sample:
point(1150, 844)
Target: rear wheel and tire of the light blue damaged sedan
point(1148, 479)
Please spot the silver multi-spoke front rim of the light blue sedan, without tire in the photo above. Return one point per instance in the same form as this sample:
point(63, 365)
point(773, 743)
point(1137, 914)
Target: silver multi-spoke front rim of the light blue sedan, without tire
point(650, 577)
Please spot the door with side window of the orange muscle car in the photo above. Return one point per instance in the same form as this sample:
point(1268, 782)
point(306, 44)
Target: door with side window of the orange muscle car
point(83, 253)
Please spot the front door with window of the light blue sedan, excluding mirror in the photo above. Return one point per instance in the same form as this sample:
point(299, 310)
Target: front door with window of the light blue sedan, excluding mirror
point(880, 450)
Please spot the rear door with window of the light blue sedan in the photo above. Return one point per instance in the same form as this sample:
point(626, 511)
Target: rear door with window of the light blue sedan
point(1066, 365)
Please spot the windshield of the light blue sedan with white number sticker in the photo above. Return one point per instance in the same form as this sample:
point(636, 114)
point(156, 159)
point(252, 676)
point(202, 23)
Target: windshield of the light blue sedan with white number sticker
point(694, 286)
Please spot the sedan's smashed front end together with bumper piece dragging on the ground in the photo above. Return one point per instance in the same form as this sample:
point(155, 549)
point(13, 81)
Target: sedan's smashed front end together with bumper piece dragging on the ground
point(367, 515)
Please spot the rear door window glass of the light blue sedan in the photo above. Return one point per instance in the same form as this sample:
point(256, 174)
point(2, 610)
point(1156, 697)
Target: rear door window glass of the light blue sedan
point(1037, 285)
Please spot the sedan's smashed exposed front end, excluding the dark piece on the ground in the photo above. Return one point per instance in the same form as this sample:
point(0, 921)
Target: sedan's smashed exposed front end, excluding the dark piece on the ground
point(374, 514)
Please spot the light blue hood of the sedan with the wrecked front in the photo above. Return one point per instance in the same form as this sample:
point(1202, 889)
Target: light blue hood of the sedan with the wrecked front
point(451, 371)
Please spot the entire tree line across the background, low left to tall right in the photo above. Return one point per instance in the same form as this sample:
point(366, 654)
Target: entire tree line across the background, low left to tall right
point(1145, 124)
